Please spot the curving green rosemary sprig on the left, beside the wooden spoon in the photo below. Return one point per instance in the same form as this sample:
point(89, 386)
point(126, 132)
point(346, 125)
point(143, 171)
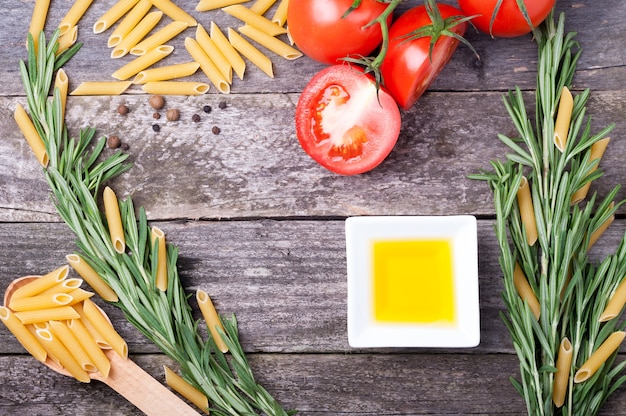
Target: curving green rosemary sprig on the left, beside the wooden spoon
point(75, 174)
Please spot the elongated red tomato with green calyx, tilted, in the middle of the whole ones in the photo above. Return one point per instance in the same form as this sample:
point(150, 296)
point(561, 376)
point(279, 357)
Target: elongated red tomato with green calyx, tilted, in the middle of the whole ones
point(407, 69)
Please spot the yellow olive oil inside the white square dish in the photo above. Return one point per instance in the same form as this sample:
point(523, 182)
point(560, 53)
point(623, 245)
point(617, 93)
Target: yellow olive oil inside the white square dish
point(412, 281)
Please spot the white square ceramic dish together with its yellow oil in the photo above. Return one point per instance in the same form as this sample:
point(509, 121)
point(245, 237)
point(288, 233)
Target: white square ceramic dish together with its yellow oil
point(412, 281)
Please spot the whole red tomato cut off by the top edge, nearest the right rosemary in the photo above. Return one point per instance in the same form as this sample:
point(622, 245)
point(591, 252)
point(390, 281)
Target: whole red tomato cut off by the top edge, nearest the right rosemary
point(509, 22)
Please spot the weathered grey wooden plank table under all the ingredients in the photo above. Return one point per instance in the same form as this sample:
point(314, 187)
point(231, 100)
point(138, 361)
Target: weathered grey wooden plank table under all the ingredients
point(260, 225)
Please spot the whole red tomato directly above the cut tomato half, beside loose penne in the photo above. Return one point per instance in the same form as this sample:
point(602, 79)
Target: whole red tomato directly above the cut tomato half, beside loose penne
point(319, 30)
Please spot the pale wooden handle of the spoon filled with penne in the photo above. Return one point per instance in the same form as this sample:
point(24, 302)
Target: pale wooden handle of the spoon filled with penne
point(142, 390)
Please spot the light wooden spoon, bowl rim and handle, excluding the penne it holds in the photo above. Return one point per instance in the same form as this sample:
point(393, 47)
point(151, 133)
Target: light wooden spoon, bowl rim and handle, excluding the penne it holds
point(125, 377)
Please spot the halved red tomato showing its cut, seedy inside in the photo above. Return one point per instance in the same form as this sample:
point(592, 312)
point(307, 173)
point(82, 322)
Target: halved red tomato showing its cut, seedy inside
point(344, 123)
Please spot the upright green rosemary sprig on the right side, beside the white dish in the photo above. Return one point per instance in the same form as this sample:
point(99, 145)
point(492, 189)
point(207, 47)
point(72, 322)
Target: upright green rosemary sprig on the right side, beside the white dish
point(571, 289)
